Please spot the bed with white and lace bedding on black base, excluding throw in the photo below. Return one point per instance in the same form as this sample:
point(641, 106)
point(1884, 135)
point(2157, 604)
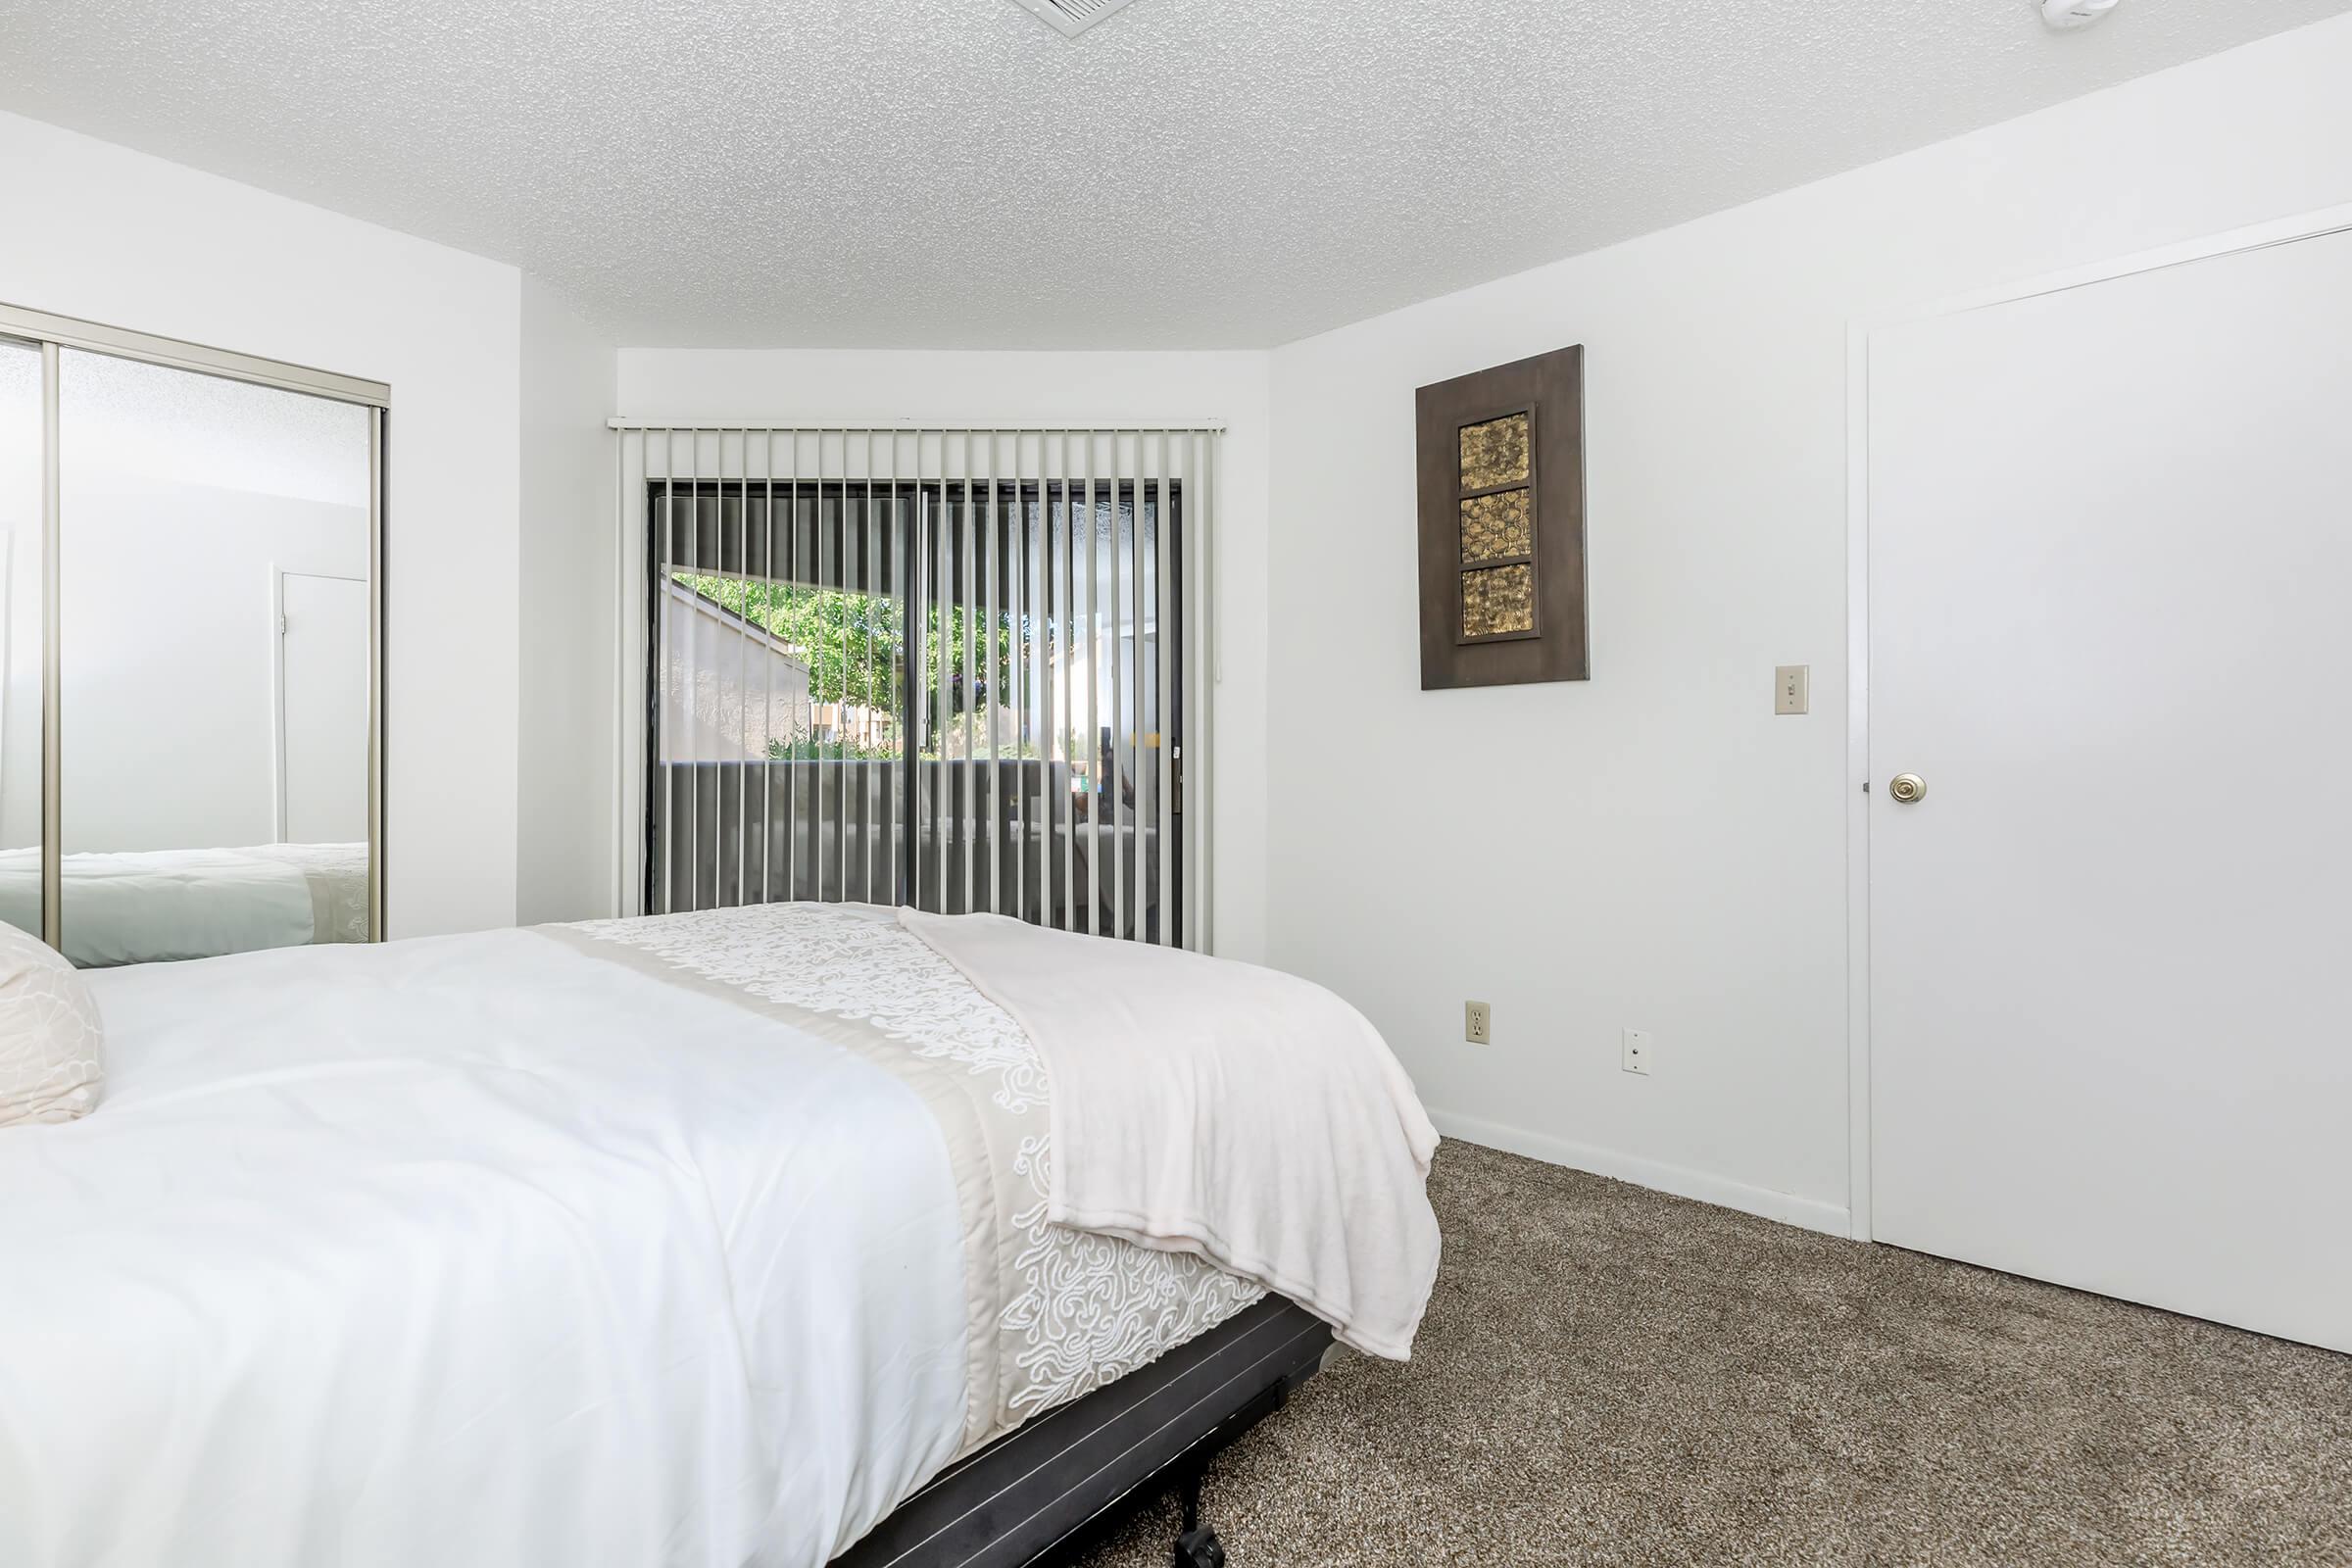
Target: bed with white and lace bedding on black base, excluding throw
point(688, 1240)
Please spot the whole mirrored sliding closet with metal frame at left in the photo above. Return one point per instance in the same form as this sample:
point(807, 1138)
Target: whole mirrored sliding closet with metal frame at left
point(189, 648)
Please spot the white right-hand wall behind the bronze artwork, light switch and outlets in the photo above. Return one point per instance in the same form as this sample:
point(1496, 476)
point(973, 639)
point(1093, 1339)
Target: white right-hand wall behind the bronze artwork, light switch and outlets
point(1669, 855)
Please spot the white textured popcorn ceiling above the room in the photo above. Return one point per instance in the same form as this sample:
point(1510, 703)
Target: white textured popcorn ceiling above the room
point(954, 175)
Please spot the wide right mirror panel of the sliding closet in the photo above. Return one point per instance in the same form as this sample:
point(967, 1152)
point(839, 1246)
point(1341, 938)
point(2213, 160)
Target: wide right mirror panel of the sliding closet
point(213, 763)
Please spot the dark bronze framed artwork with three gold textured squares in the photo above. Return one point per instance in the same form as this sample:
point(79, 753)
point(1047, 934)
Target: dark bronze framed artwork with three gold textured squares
point(1502, 500)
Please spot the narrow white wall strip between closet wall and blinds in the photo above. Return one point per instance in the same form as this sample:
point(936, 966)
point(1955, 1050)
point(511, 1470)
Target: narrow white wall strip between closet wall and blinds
point(566, 713)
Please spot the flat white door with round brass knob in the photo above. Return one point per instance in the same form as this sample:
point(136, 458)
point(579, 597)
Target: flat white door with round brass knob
point(2111, 626)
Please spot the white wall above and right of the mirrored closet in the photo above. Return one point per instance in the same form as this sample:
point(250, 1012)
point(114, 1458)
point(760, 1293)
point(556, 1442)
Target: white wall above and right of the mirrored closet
point(116, 236)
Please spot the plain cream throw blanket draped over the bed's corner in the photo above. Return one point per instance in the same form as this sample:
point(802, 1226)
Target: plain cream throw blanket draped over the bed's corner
point(1217, 1108)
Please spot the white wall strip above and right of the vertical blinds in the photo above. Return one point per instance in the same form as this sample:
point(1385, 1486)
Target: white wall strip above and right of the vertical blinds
point(1048, 389)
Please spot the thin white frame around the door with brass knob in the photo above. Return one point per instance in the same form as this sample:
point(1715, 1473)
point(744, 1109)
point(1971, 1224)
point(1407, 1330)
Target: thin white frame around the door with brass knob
point(1859, 333)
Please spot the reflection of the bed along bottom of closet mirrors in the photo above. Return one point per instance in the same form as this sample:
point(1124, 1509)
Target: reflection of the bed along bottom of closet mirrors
point(194, 904)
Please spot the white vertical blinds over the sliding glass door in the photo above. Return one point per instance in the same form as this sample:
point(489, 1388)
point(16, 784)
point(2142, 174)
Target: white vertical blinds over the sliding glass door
point(951, 669)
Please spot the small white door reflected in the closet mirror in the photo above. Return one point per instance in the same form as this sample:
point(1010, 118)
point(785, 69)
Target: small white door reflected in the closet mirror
point(323, 692)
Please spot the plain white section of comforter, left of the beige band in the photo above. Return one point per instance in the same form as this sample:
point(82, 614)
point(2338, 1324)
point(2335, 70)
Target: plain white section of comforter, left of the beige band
point(469, 1252)
